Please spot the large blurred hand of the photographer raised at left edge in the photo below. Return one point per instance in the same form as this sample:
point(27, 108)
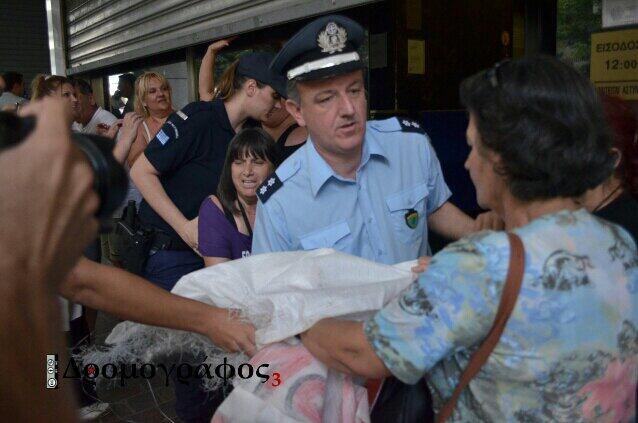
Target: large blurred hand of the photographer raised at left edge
point(47, 202)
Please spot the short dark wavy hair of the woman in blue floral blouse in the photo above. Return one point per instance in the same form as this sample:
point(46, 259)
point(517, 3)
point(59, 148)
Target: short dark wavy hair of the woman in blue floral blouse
point(546, 123)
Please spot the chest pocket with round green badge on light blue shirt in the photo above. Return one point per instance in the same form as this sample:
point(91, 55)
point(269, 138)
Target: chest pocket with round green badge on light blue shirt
point(407, 213)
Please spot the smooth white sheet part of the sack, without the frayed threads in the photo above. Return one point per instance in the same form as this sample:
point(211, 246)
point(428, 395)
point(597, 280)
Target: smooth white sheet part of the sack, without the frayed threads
point(284, 294)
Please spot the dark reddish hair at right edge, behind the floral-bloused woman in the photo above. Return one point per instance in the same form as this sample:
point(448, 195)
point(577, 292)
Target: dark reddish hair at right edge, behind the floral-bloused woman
point(624, 126)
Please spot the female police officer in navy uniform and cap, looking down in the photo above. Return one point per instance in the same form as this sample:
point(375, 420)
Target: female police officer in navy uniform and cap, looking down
point(181, 165)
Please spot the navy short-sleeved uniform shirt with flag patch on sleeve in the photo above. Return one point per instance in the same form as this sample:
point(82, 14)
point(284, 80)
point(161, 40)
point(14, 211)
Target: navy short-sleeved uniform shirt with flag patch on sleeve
point(189, 153)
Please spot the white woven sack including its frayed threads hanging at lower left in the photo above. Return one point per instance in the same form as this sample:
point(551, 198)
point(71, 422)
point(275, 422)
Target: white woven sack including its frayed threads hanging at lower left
point(281, 294)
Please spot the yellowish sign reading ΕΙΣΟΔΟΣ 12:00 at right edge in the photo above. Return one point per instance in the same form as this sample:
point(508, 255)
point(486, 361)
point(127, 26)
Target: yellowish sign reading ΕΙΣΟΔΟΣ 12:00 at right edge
point(614, 63)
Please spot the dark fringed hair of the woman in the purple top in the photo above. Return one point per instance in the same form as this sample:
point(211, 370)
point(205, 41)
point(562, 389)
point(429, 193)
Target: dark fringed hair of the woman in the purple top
point(250, 142)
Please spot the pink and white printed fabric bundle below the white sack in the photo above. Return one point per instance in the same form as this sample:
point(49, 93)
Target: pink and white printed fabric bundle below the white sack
point(300, 388)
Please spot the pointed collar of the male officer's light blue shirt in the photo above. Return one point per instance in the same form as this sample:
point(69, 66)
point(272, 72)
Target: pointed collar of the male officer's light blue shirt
point(320, 170)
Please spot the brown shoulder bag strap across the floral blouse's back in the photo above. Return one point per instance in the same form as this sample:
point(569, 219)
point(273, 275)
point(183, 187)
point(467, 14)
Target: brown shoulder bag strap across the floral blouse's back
point(508, 301)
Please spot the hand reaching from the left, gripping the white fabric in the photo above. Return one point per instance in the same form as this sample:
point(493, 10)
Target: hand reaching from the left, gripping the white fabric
point(228, 332)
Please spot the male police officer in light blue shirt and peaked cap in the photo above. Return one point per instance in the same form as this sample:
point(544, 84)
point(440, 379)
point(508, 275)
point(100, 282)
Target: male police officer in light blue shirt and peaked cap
point(365, 188)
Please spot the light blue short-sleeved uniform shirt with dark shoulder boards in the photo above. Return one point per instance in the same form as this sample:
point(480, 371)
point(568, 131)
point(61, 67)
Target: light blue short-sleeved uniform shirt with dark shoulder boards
point(380, 216)
